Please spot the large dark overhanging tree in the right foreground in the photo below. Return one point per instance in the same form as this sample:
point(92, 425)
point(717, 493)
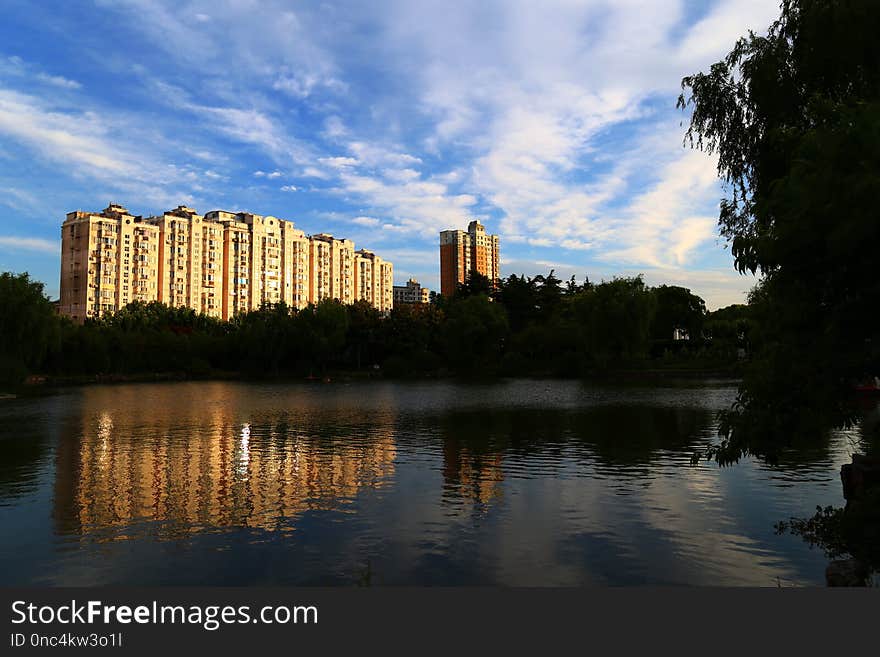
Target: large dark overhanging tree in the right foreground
point(794, 118)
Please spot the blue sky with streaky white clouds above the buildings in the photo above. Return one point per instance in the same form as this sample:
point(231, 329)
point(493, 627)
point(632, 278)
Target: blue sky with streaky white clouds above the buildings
point(553, 123)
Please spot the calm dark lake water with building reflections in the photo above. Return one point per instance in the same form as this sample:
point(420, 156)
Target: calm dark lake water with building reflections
point(514, 483)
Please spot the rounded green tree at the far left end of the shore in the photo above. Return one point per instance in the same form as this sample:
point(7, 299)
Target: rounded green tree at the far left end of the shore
point(29, 327)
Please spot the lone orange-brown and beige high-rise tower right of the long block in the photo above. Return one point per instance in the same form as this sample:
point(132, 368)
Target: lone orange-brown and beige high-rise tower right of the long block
point(462, 252)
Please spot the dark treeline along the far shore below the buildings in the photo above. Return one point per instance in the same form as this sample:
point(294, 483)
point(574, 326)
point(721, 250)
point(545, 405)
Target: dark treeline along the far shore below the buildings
point(527, 326)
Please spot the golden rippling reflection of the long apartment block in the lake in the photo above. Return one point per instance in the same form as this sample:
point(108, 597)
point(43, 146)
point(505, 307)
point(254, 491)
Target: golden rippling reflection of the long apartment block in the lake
point(175, 470)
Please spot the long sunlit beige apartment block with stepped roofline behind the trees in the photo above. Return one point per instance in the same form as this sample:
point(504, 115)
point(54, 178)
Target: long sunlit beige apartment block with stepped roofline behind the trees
point(221, 264)
